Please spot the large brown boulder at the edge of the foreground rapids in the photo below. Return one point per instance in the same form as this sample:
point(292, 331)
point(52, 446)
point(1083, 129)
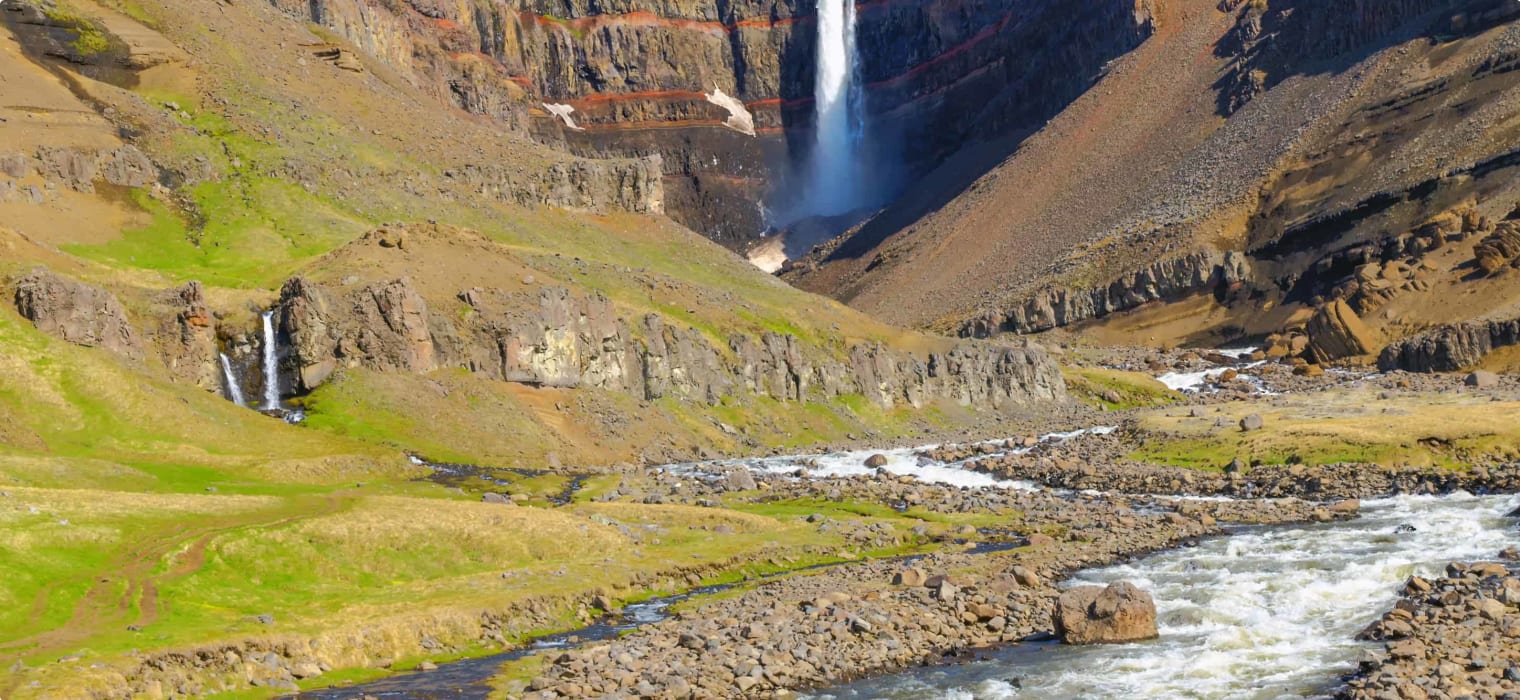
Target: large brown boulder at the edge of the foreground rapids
point(1119, 613)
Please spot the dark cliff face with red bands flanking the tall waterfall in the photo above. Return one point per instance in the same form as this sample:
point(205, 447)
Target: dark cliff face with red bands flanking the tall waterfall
point(644, 78)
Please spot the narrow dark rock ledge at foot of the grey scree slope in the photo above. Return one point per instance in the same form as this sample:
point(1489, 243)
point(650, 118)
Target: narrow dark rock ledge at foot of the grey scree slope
point(1171, 279)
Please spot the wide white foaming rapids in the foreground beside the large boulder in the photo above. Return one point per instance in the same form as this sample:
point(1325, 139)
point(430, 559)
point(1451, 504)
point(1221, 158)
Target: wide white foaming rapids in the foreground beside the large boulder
point(1259, 616)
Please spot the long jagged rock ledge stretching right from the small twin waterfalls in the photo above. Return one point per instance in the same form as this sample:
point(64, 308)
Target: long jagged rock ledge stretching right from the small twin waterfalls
point(569, 342)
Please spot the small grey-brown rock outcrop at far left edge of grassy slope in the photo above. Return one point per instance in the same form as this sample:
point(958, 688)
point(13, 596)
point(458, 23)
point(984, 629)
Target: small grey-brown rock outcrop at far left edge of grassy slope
point(77, 312)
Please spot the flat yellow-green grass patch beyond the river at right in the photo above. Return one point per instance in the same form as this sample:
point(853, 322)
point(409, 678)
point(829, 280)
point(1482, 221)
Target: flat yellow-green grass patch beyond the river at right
point(1351, 424)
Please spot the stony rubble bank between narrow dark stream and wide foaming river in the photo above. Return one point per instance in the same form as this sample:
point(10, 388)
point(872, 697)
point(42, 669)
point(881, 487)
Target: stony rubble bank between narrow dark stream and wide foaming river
point(879, 617)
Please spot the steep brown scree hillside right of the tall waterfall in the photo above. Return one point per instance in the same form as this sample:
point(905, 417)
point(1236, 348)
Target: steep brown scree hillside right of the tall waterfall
point(1227, 180)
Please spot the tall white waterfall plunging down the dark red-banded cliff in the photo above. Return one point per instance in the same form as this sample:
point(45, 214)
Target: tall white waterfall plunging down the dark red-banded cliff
point(835, 186)
